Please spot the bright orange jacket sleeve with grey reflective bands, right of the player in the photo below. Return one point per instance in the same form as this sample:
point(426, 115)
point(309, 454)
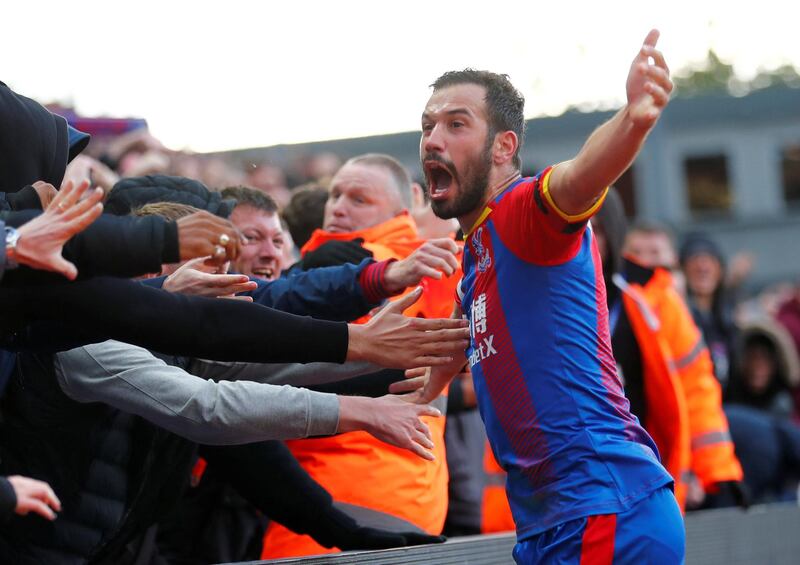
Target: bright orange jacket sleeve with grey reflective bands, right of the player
point(713, 459)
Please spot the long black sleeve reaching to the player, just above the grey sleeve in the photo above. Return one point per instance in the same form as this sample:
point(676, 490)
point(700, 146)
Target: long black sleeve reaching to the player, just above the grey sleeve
point(226, 330)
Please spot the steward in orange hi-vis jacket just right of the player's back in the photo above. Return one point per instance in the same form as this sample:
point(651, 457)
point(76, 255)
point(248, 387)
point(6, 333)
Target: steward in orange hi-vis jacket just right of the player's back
point(655, 339)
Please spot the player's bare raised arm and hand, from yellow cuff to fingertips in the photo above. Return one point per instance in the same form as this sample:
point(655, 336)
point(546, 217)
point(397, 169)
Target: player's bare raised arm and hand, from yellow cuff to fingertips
point(577, 184)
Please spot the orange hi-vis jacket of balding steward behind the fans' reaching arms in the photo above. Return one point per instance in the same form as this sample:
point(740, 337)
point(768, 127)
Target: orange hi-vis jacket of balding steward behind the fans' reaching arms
point(357, 469)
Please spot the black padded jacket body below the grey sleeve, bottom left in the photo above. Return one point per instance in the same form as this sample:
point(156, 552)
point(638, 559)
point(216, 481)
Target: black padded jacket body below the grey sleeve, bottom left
point(114, 473)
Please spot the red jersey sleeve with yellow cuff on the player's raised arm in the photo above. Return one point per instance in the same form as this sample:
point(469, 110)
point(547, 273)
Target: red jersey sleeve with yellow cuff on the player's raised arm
point(532, 226)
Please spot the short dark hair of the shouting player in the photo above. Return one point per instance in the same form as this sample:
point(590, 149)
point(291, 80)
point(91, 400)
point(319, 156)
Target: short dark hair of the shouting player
point(505, 105)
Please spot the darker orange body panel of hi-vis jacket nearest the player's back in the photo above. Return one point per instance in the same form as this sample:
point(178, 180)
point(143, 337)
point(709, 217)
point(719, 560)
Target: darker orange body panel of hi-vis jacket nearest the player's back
point(667, 413)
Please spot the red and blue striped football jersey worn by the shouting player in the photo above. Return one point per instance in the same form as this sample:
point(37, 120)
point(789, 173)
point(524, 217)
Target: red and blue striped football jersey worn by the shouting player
point(545, 377)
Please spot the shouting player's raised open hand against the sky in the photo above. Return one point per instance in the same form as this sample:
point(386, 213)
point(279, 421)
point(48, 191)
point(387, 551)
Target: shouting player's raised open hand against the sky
point(648, 86)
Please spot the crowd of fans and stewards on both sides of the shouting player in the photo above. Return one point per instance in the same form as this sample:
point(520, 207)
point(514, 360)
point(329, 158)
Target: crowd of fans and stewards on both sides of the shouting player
point(144, 420)
